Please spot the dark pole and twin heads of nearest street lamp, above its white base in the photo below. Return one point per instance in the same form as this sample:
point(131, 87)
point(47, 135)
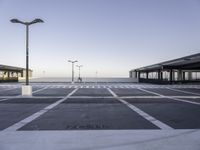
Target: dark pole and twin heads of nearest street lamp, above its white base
point(27, 24)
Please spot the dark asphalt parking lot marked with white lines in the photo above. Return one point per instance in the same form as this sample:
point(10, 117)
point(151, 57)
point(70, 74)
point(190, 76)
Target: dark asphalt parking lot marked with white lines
point(99, 108)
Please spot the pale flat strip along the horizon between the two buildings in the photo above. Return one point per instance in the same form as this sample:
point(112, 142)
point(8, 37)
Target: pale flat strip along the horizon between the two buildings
point(59, 79)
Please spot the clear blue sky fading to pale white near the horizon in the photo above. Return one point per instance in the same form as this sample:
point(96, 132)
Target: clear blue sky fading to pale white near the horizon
point(107, 37)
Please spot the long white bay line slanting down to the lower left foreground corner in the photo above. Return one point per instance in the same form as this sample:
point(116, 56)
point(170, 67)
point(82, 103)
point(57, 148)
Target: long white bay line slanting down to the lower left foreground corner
point(27, 120)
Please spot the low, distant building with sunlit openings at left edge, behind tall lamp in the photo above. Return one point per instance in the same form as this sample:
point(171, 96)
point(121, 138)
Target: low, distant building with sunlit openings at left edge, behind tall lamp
point(12, 74)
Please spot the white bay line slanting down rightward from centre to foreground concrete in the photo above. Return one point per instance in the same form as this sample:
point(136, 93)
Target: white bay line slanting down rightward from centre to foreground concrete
point(151, 119)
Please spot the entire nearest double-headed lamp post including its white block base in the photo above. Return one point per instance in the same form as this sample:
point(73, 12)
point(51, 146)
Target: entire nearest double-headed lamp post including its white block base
point(27, 90)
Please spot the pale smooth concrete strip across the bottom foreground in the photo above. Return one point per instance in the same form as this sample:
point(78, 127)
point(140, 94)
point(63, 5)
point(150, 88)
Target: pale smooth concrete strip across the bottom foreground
point(101, 140)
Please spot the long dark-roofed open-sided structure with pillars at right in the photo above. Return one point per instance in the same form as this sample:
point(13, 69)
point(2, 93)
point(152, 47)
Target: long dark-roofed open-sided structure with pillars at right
point(181, 70)
